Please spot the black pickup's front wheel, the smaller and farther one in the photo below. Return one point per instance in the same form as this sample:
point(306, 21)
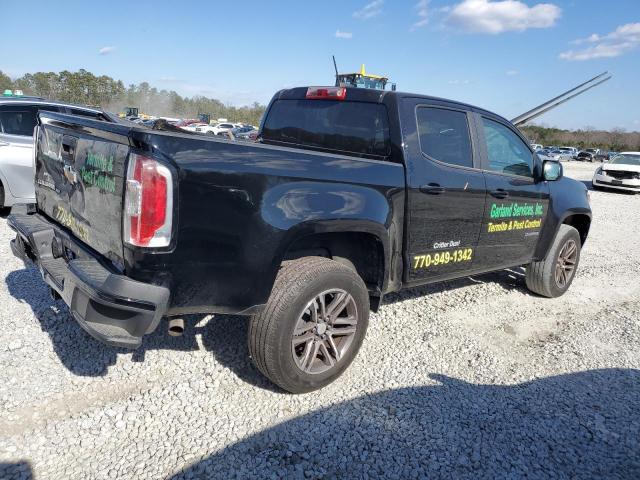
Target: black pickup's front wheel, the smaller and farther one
point(541, 277)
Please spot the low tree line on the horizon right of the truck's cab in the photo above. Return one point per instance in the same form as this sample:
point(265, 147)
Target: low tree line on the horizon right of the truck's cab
point(616, 140)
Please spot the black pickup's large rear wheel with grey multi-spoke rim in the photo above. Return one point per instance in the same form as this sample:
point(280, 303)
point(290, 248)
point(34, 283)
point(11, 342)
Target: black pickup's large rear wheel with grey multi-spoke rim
point(280, 354)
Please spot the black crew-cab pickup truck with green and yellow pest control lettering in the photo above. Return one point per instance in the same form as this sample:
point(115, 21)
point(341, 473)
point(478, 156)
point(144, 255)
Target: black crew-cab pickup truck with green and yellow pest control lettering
point(349, 194)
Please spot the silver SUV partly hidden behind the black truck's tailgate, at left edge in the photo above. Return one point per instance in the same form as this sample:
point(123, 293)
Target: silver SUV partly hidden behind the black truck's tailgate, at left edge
point(17, 121)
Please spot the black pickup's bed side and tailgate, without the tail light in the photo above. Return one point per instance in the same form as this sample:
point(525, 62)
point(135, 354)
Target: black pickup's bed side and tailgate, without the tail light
point(238, 206)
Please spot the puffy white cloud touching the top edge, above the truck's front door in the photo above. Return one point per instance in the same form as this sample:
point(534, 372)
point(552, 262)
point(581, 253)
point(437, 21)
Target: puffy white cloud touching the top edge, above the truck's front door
point(486, 16)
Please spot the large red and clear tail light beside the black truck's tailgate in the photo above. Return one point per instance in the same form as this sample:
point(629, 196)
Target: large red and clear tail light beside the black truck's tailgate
point(148, 208)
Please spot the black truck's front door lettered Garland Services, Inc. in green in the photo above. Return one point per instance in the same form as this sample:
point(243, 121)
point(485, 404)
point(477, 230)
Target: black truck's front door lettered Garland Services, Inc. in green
point(517, 196)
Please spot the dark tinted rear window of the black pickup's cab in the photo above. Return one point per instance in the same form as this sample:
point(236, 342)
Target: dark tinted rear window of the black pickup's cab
point(354, 128)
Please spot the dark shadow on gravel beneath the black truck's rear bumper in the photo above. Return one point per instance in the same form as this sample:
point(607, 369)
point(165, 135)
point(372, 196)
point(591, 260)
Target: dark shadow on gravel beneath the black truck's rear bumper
point(225, 335)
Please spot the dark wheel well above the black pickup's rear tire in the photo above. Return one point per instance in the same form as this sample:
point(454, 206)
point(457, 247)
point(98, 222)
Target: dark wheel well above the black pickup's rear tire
point(363, 250)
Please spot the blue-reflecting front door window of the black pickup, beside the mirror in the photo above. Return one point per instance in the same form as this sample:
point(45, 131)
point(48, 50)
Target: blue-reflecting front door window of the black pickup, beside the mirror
point(506, 151)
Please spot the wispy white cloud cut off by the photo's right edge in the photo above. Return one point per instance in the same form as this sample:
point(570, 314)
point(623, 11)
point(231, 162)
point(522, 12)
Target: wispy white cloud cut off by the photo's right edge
point(622, 40)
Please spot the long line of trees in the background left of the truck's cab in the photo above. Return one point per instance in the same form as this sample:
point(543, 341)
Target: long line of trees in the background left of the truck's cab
point(84, 88)
